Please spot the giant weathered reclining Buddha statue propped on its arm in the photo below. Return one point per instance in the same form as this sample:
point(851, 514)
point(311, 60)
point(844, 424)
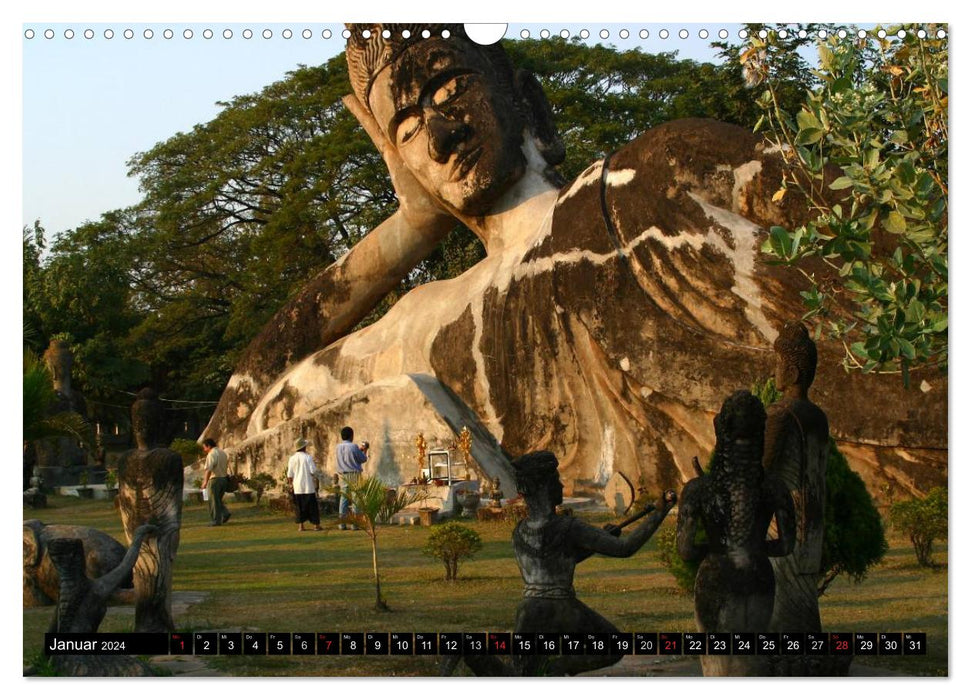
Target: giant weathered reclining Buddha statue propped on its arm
point(608, 318)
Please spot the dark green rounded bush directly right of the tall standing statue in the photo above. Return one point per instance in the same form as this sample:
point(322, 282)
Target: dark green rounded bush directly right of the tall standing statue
point(854, 541)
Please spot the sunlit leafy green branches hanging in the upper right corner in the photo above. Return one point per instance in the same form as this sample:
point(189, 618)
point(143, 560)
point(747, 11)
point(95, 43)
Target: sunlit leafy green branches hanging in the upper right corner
point(869, 150)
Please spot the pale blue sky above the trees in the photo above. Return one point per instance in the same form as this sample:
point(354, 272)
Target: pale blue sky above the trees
point(89, 104)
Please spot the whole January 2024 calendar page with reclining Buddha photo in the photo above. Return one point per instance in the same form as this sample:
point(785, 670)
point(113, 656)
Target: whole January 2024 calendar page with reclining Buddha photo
point(546, 348)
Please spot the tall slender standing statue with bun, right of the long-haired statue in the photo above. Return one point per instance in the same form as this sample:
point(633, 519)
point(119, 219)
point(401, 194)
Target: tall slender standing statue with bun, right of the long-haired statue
point(796, 452)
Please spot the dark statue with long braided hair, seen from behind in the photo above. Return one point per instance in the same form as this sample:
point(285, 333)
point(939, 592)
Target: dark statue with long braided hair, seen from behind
point(734, 504)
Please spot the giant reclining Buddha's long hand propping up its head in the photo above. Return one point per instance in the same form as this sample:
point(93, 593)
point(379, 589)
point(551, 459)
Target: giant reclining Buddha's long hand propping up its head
point(419, 208)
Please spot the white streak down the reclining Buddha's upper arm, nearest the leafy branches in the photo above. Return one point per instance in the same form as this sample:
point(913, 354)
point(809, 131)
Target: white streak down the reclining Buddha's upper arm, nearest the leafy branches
point(742, 259)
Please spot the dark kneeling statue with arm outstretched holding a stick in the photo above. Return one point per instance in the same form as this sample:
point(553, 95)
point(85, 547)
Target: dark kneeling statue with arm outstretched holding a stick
point(547, 548)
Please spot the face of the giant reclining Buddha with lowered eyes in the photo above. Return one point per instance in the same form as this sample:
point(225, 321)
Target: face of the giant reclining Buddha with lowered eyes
point(454, 124)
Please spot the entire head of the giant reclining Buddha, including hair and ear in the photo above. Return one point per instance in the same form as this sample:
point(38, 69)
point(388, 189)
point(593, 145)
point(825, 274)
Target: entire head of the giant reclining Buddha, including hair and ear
point(456, 112)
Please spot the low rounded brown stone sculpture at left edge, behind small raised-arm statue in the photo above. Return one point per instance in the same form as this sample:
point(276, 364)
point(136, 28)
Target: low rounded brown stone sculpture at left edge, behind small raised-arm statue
point(102, 553)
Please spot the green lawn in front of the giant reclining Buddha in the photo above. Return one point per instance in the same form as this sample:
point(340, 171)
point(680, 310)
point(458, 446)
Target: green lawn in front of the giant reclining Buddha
point(259, 574)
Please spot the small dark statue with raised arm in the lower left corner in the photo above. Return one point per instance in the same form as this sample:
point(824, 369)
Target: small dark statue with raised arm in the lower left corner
point(82, 603)
